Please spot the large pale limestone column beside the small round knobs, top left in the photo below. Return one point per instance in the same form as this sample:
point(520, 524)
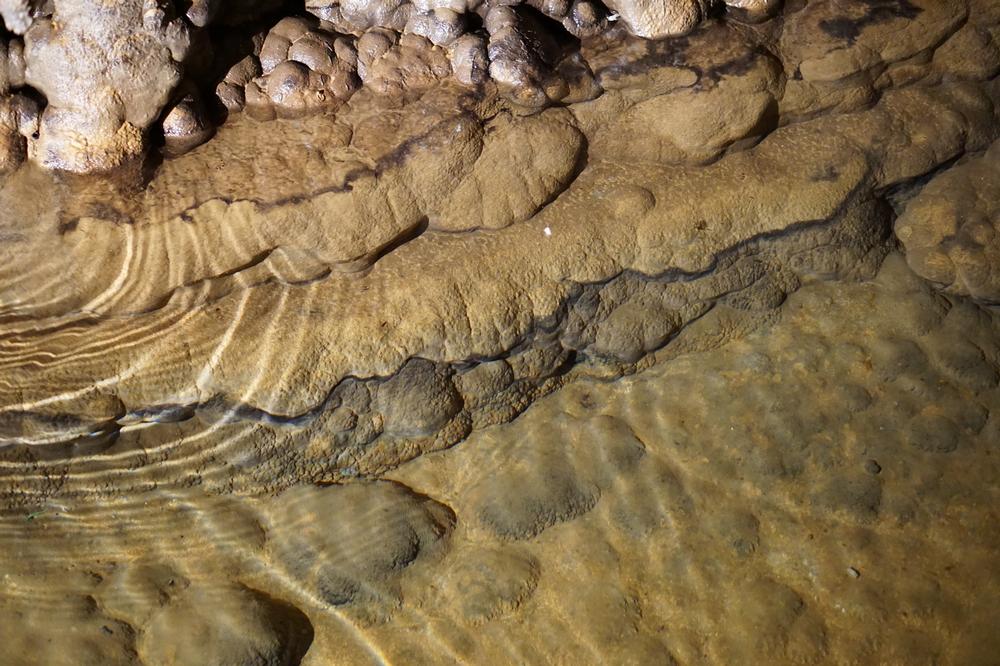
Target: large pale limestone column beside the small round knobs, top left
point(100, 101)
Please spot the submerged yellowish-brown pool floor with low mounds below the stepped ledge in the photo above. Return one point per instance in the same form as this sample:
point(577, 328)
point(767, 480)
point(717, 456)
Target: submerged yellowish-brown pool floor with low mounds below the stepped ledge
point(815, 491)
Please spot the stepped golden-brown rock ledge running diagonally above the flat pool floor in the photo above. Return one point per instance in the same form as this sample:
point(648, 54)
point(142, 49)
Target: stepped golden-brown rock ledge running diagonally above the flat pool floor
point(296, 293)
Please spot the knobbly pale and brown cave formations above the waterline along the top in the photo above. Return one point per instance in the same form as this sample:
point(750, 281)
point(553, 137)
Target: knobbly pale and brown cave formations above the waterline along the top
point(114, 75)
